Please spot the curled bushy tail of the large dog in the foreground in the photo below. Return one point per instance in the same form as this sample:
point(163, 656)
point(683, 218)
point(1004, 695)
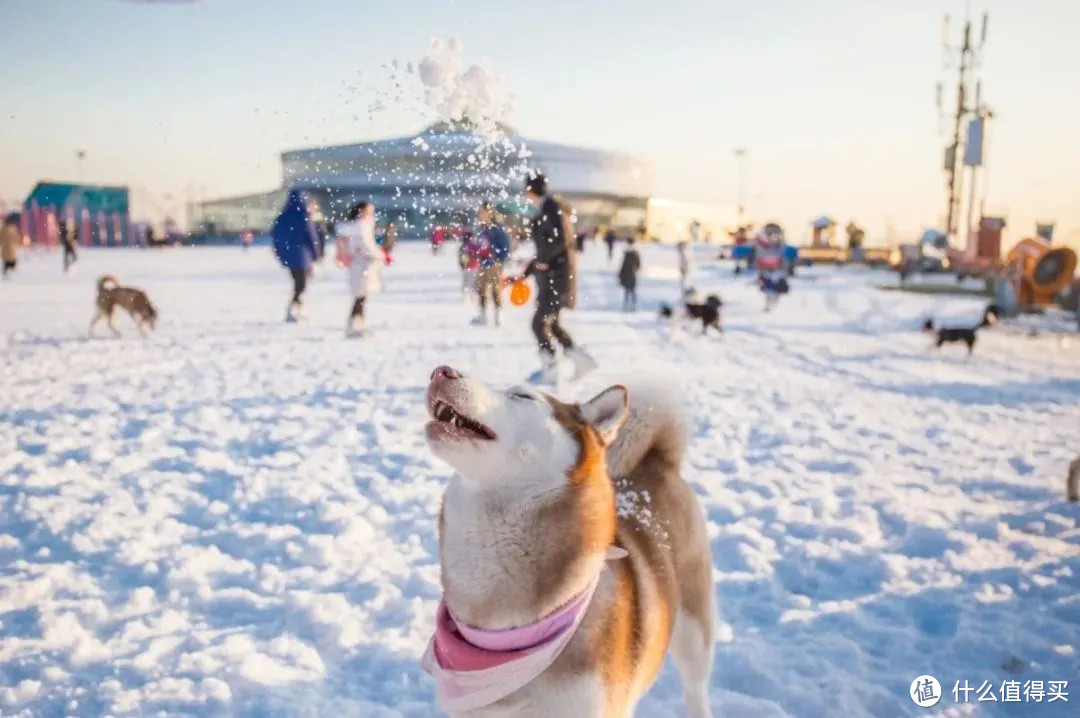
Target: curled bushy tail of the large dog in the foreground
point(655, 431)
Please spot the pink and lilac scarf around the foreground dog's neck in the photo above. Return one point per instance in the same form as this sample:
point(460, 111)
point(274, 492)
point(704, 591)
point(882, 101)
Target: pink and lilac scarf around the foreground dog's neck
point(475, 668)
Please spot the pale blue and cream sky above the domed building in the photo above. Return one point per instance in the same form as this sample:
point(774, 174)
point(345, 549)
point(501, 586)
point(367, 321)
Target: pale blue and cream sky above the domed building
point(834, 99)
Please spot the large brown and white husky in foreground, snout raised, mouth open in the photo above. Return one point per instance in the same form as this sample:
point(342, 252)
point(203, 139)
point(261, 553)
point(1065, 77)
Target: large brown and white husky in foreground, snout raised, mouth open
point(556, 506)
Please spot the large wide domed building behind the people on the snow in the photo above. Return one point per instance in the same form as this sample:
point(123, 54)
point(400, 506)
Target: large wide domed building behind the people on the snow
point(440, 177)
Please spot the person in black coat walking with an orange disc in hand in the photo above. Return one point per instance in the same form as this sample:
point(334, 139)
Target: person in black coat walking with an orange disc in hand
point(552, 232)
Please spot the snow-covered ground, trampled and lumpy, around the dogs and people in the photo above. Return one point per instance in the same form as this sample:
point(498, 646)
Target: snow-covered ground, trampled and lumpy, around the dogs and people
point(237, 517)
